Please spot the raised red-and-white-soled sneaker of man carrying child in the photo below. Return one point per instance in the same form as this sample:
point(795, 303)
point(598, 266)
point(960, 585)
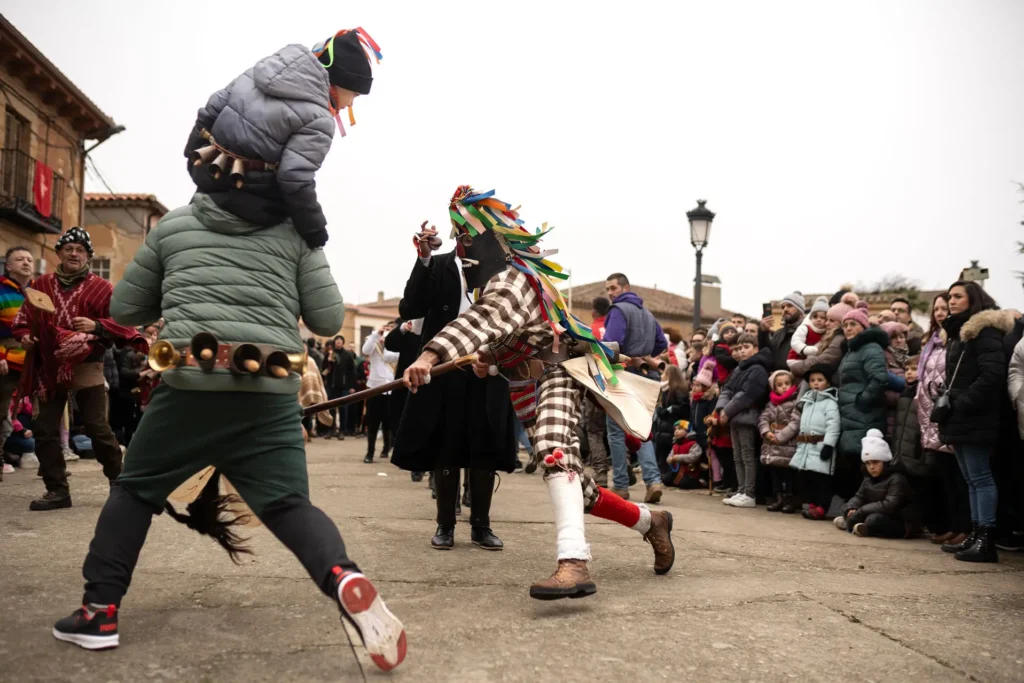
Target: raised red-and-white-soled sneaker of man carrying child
point(382, 633)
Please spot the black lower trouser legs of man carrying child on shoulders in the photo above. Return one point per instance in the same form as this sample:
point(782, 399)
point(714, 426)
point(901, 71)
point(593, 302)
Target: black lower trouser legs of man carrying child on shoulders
point(125, 521)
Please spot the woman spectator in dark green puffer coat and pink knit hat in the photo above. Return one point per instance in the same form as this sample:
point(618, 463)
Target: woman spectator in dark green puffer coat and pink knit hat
point(864, 380)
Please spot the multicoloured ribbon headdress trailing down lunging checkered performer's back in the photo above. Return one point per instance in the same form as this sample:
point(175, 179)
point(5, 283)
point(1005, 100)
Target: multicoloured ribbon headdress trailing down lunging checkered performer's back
point(474, 214)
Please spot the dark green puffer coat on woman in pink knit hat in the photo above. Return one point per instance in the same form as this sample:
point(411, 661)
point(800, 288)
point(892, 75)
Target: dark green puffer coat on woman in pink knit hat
point(864, 379)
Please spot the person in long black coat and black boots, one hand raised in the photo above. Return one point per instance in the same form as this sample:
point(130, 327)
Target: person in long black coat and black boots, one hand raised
point(460, 421)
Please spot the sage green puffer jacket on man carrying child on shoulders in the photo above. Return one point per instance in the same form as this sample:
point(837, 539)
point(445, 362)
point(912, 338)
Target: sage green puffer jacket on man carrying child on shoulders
point(205, 270)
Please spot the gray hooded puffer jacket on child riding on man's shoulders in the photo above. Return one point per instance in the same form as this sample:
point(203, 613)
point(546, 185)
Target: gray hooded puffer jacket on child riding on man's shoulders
point(277, 112)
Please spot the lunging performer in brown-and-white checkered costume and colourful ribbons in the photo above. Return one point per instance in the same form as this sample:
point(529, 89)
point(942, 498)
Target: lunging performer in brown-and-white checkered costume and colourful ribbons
point(521, 323)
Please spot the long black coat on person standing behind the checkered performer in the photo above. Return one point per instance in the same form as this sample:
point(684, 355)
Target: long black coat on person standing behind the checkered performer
point(458, 420)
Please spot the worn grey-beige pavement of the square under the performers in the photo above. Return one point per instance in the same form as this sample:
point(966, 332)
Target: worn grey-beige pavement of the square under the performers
point(753, 597)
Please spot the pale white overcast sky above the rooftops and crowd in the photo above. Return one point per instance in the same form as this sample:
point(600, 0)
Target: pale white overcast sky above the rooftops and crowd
point(838, 143)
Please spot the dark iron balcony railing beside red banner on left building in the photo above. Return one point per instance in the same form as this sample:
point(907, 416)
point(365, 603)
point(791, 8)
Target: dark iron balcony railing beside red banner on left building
point(18, 204)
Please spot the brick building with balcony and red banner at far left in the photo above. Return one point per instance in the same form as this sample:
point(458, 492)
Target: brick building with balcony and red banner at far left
point(46, 125)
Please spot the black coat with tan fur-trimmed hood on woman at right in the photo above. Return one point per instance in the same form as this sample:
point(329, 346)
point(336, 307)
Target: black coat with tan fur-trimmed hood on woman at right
point(977, 392)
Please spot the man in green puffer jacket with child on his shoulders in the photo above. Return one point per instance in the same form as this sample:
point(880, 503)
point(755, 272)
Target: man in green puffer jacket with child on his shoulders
point(232, 291)
